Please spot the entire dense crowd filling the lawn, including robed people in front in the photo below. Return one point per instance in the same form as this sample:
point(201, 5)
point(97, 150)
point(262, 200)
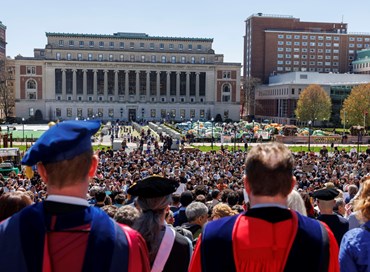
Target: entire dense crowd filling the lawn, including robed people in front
point(207, 188)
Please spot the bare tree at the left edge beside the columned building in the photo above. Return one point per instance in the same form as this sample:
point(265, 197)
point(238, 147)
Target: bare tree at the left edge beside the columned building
point(6, 90)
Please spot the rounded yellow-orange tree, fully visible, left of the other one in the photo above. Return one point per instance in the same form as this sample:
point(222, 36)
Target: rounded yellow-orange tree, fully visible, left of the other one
point(313, 104)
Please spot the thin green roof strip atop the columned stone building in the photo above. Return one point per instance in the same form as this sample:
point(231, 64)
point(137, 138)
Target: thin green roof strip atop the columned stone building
point(125, 35)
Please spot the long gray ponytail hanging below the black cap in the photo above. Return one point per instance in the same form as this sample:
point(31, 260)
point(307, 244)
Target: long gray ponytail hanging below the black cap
point(150, 222)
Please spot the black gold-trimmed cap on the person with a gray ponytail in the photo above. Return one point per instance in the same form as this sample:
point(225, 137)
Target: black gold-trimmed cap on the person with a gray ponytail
point(153, 186)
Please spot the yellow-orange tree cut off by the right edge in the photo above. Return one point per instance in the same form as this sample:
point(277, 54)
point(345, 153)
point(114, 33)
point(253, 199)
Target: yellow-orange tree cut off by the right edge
point(356, 106)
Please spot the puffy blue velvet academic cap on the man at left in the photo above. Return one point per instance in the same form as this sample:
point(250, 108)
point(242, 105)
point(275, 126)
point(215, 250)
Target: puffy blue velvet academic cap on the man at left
point(63, 141)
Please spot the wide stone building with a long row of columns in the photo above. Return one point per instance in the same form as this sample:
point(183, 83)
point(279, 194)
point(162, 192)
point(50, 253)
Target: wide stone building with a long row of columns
point(126, 76)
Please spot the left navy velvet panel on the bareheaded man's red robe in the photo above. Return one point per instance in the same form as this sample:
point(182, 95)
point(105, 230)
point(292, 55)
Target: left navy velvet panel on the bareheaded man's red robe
point(217, 245)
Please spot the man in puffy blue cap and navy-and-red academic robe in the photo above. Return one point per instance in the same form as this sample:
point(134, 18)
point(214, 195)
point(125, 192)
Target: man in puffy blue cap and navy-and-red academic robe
point(64, 233)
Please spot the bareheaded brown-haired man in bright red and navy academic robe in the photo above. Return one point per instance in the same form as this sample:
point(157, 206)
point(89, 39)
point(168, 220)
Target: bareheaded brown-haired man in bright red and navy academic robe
point(269, 236)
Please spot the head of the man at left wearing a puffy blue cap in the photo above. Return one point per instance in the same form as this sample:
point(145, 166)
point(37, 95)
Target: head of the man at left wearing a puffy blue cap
point(64, 155)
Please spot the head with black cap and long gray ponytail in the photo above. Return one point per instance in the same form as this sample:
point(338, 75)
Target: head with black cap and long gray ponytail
point(154, 199)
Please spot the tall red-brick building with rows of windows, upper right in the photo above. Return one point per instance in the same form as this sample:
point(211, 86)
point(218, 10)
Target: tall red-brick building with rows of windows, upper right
point(275, 44)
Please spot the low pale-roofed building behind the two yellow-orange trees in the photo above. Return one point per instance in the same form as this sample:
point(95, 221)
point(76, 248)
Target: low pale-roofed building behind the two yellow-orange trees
point(277, 100)
